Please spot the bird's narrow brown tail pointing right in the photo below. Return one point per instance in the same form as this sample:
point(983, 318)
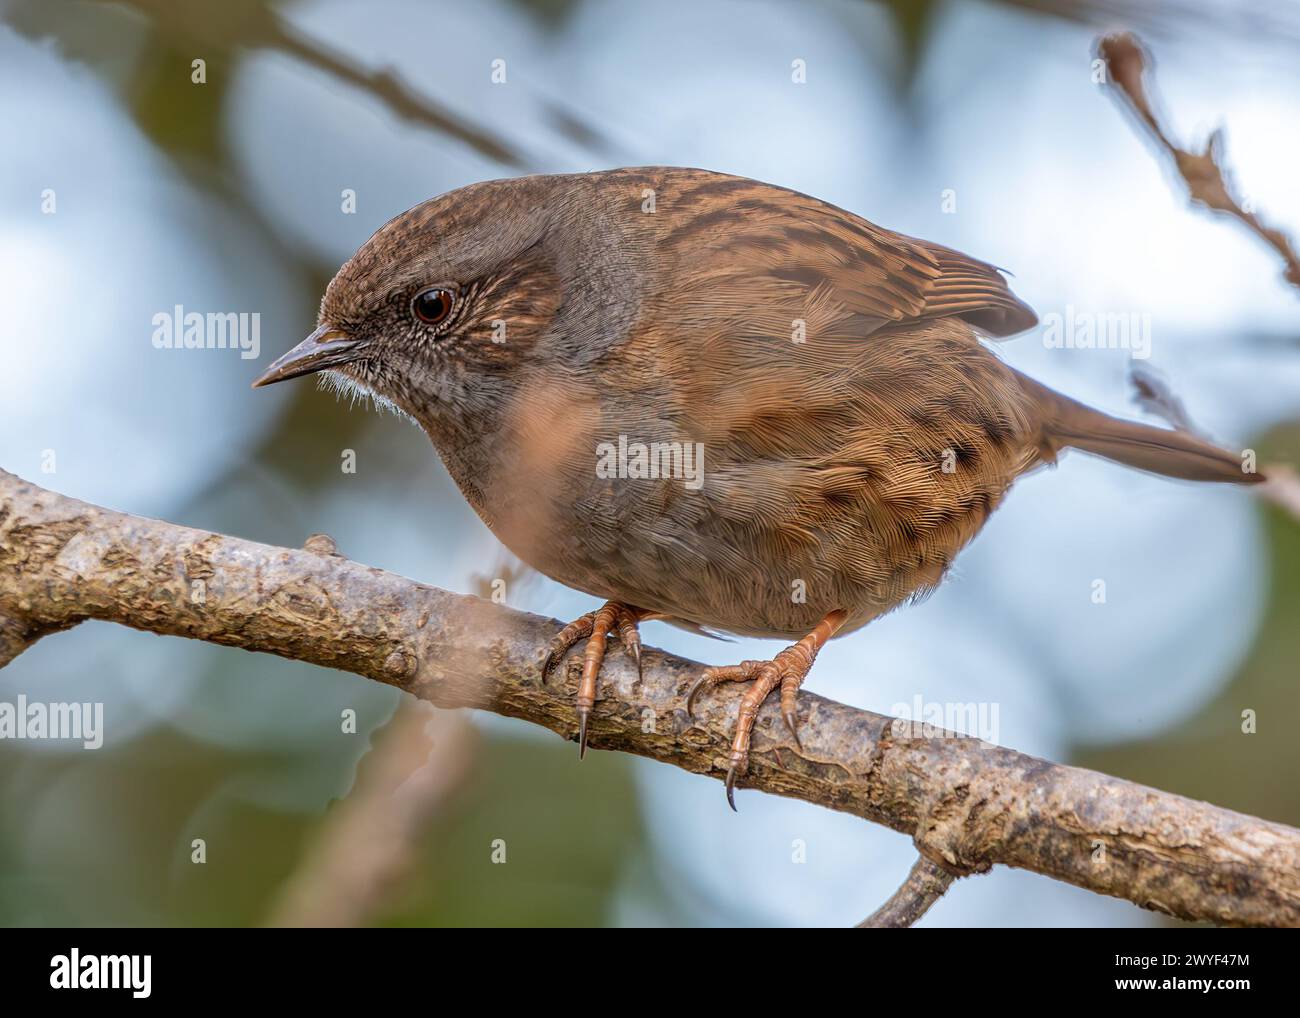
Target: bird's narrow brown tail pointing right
point(1173, 454)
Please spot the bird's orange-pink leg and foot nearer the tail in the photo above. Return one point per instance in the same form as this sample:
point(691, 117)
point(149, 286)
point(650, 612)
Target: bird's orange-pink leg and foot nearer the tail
point(787, 670)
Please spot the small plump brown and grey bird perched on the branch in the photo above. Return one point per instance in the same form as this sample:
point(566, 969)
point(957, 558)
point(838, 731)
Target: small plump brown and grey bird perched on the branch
point(710, 401)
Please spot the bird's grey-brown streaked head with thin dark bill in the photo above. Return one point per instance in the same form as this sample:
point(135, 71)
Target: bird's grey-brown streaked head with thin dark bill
point(440, 310)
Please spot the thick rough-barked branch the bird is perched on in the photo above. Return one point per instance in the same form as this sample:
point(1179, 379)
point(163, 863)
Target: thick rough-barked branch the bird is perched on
point(967, 804)
